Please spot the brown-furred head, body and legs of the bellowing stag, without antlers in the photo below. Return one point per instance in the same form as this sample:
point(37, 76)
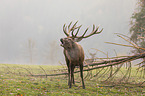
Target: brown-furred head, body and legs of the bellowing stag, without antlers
point(74, 56)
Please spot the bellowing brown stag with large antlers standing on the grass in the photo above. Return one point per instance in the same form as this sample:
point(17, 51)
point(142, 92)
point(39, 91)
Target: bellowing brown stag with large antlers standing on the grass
point(73, 52)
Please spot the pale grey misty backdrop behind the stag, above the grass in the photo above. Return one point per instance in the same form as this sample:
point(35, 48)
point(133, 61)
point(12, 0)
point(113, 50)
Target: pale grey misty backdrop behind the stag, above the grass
point(33, 28)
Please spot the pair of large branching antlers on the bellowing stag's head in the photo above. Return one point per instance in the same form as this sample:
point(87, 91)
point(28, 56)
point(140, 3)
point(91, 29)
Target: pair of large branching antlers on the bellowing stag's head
point(79, 38)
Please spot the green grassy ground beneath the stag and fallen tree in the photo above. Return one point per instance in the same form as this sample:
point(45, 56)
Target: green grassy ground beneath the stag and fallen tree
point(14, 81)
